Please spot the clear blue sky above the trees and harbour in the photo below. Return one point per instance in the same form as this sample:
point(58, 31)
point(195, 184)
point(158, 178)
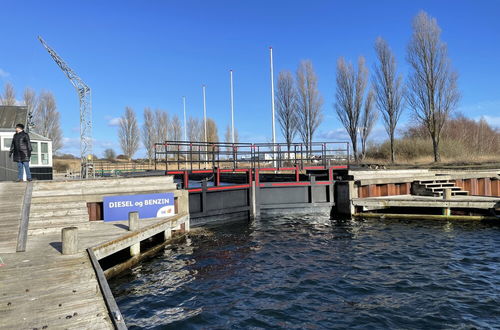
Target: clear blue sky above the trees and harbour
point(151, 53)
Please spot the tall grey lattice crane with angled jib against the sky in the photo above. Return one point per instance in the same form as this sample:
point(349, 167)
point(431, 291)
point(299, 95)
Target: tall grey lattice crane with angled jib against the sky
point(84, 96)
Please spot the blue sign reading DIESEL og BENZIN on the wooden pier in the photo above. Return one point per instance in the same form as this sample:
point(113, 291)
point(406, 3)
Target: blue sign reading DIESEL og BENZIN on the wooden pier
point(117, 208)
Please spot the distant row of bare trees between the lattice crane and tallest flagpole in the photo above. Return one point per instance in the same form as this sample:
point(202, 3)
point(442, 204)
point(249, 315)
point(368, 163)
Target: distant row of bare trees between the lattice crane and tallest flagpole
point(158, 127)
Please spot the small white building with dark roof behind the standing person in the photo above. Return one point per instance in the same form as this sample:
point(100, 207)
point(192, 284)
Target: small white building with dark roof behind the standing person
point(41, 156)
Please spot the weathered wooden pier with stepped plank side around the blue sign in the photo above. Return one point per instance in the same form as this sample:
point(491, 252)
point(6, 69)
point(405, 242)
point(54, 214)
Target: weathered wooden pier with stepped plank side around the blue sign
point(41, 288)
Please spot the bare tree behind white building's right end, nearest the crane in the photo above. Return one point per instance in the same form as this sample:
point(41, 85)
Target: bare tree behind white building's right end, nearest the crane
point(46, 120)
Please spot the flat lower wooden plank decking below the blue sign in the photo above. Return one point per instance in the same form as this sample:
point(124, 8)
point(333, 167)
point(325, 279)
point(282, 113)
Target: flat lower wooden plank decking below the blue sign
point(43, 289)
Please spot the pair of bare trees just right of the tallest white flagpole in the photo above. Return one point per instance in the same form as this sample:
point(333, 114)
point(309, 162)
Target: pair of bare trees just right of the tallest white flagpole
point(299, 104)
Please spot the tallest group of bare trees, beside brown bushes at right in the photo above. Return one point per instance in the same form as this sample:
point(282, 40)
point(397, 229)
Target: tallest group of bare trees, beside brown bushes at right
point(431, 90)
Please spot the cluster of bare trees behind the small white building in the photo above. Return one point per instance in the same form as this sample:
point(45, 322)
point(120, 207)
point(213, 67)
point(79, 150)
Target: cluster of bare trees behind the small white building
point(45, 118)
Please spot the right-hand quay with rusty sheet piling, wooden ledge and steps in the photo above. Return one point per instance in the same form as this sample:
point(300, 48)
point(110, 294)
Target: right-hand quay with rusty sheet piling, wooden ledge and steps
point(420, 192)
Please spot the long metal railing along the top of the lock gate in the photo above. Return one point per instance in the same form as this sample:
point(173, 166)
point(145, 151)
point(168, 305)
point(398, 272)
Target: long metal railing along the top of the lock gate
point(186, 155)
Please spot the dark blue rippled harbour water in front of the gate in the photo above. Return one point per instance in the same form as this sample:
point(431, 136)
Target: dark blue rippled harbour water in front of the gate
point(310, 272)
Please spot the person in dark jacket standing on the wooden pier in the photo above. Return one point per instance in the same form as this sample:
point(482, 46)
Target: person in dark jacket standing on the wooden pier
point(21, 149)
